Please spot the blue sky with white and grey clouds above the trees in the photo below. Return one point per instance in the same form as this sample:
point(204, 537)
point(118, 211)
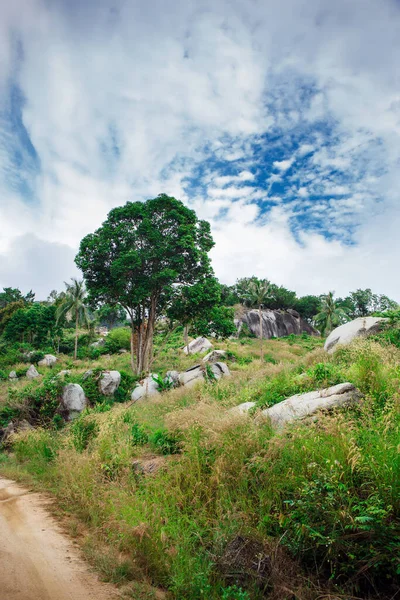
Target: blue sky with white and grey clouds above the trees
point(278, 122)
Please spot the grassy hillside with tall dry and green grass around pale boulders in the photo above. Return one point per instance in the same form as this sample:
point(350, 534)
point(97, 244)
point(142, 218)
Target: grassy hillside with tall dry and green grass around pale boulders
point(176, 497)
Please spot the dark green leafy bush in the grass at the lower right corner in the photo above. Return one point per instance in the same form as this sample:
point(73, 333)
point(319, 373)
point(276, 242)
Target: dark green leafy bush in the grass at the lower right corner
point(331, 524)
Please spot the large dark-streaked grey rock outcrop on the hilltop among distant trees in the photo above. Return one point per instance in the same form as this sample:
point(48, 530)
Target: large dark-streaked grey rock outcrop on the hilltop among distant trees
point(275, 323)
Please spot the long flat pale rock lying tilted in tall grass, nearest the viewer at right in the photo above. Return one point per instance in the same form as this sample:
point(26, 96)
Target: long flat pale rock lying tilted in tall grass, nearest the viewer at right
point(303, 405)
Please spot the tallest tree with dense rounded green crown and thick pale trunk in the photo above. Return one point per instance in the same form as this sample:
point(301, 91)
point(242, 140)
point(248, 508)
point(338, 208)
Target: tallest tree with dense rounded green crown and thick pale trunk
point(137, 256)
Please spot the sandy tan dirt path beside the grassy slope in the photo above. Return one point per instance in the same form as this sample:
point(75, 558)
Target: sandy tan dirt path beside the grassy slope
point(37, 561)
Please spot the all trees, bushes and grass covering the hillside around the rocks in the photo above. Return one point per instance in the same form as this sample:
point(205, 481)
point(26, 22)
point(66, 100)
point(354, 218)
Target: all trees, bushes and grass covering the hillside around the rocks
point(176, 496)
